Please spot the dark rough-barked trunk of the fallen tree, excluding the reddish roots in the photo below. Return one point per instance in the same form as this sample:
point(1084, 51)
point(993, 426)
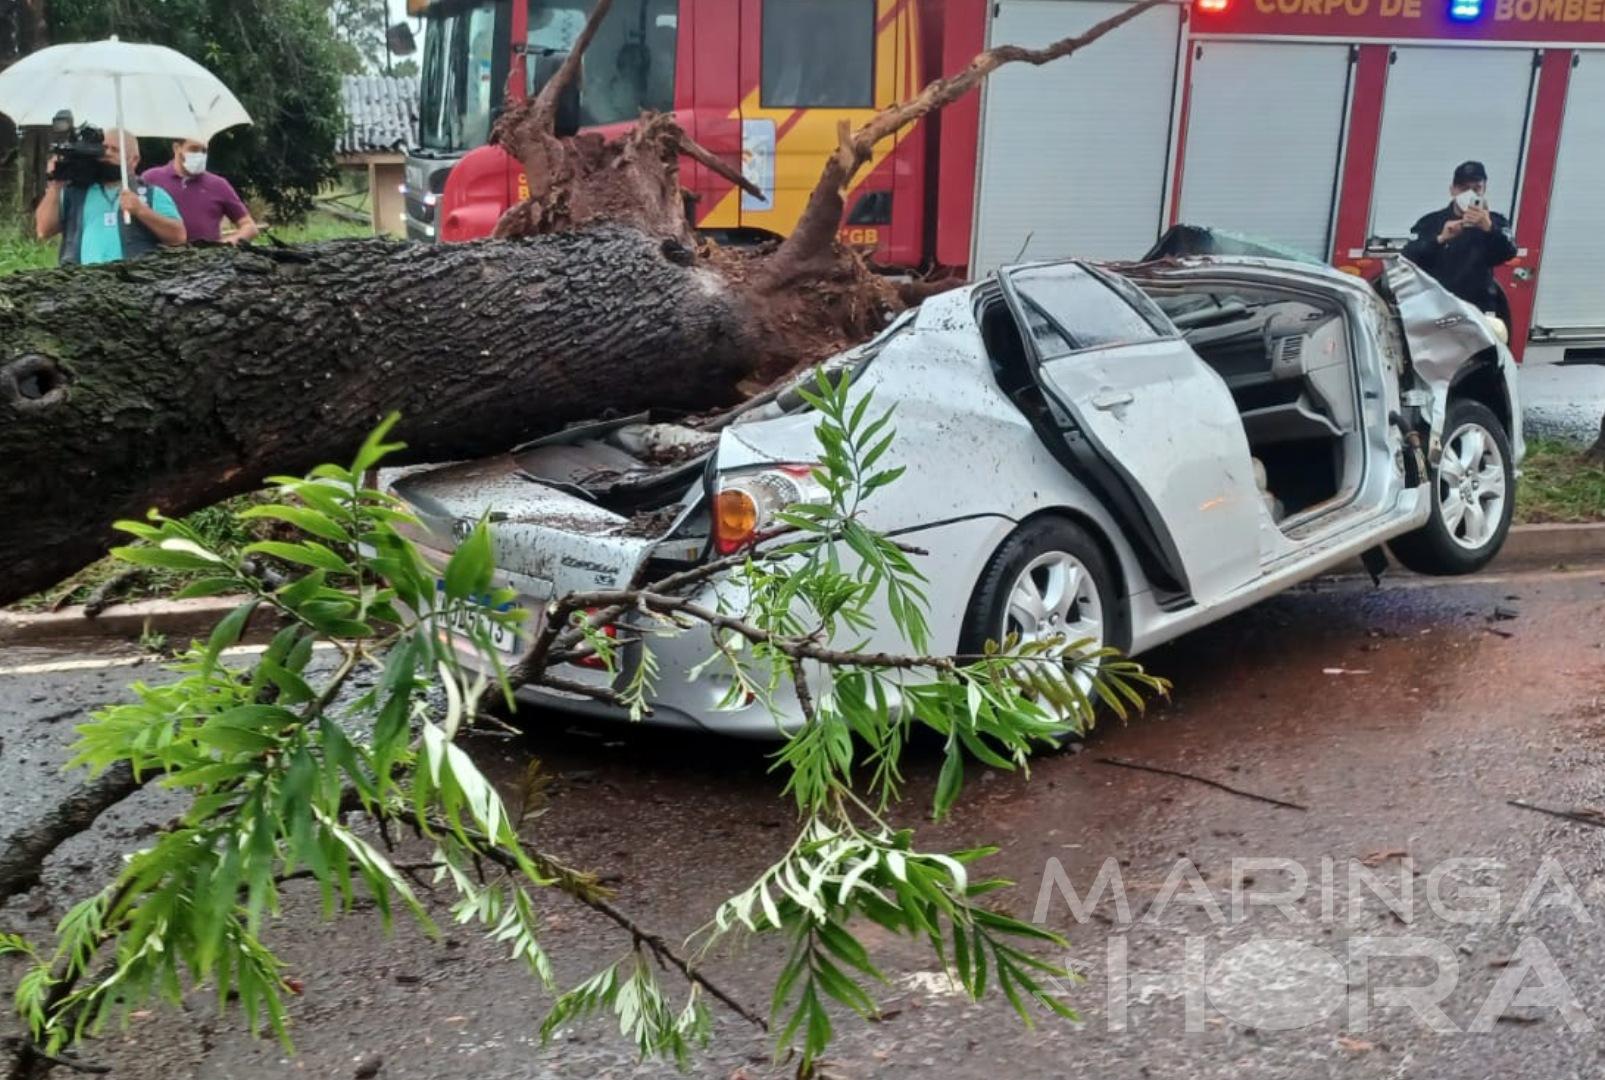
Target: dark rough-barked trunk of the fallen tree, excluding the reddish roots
point(184, 380)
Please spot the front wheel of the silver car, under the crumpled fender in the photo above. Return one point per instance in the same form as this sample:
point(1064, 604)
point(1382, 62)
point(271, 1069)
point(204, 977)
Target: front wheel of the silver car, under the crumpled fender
point(1474, 471)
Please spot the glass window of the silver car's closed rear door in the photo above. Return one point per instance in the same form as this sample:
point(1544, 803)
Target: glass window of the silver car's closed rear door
point(1070, 309)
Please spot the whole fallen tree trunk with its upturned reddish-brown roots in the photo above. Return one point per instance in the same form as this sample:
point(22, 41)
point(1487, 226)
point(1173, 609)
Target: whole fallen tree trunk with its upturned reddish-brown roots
point(187, 378)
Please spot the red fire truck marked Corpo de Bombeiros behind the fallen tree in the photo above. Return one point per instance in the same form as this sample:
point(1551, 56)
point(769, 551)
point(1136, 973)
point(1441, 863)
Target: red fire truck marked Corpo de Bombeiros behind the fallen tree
point(1327, 126)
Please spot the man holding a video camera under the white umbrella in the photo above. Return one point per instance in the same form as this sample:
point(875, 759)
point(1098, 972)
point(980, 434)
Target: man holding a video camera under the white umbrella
point(89, 213)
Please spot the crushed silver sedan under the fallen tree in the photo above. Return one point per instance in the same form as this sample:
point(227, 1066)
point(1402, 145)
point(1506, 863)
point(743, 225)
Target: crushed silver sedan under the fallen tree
point(1115, 453)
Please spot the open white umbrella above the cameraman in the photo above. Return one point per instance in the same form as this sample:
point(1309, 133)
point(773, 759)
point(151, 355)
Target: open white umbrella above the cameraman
point(139, 89)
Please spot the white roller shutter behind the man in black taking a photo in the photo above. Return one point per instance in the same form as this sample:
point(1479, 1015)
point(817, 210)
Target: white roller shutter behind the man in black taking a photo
point(1447, 105)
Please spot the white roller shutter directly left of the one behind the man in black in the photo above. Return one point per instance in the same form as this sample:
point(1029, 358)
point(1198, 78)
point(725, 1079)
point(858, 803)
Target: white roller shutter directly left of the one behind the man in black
point(1266, 131)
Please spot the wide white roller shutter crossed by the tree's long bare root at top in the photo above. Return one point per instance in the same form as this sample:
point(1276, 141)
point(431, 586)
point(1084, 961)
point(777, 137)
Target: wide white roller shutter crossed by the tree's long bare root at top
point(1073, 155)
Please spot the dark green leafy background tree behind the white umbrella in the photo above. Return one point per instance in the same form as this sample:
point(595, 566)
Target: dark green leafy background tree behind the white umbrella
point(282, 59)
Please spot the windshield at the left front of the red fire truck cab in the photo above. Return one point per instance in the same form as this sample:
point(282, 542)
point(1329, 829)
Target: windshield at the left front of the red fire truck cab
point(460, 87)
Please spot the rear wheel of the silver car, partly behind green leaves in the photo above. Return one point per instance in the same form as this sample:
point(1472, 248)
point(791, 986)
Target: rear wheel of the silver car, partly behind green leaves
point(1049, 580)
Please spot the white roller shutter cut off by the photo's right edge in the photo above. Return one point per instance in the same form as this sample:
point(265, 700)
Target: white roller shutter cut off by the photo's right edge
point(1572, 272)
